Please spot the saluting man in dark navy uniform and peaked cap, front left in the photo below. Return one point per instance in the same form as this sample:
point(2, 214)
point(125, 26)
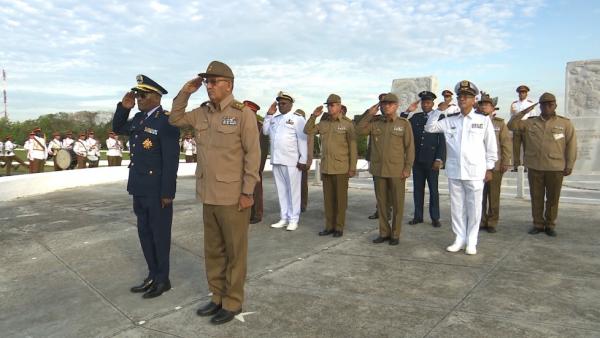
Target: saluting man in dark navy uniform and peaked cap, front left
point(152, 177)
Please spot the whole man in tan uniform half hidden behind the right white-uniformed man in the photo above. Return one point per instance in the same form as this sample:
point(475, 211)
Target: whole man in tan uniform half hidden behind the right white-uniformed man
point(491, 190)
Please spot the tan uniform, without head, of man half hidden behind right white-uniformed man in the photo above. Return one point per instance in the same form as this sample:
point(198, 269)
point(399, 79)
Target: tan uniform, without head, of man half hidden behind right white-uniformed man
point(491, 189)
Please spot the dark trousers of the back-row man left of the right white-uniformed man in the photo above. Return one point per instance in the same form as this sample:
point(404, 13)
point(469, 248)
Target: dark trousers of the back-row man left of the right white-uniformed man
point(423, 173)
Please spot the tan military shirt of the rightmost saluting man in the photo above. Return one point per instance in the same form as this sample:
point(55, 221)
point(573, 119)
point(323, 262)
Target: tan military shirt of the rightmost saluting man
point(549, 144)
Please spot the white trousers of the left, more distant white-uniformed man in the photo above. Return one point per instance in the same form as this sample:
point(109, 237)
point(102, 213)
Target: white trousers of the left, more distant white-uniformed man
point(288, 181)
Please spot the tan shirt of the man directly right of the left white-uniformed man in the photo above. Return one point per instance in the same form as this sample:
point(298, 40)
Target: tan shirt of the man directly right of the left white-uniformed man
point(338, 144)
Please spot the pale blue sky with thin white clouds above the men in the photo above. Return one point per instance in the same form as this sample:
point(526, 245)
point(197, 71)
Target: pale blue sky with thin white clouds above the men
point(84, 55)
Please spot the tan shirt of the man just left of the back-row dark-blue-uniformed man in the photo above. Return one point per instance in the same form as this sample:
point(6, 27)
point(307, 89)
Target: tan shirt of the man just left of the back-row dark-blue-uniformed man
point(392, 144)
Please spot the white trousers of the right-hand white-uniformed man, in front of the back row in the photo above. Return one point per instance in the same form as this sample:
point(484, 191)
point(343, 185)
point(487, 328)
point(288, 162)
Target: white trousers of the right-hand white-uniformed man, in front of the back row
point(465, 206)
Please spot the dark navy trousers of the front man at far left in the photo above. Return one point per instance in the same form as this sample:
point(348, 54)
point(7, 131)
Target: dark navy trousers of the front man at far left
point(154, 231)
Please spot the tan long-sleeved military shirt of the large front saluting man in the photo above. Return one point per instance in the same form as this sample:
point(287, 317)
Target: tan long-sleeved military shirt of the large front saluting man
point(228, 148)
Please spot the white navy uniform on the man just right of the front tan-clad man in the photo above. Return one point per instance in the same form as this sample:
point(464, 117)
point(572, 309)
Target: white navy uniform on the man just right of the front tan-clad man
point(288, 148)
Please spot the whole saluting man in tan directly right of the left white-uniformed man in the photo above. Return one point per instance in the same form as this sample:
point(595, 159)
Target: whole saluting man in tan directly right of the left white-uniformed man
point(338, 161)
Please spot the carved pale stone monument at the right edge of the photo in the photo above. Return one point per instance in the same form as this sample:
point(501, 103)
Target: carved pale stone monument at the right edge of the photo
point(582, 106)
